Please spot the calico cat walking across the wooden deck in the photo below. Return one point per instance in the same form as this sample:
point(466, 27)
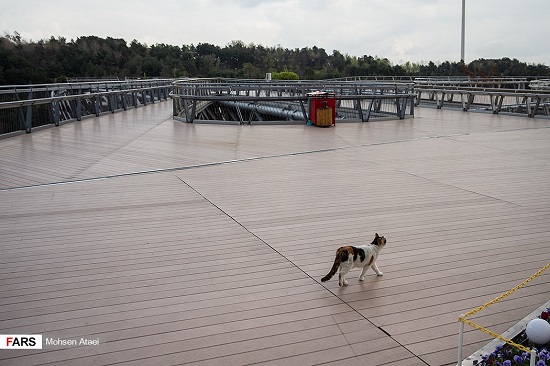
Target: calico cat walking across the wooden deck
point(349, 257)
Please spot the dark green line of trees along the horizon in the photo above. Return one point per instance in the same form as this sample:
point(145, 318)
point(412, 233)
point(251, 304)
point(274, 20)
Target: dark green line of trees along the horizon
point(56, 59)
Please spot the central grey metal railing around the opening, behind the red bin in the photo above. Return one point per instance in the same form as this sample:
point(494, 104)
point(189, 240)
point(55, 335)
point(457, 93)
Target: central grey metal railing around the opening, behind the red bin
point(261, 101)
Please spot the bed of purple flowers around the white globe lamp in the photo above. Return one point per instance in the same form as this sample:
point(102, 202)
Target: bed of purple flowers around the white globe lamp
point(507, 355)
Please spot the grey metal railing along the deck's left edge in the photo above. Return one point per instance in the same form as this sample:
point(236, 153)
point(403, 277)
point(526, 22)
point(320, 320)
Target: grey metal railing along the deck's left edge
point(24, 107)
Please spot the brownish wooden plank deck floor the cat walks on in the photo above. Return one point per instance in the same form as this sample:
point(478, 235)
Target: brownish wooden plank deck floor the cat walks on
point(177, 244)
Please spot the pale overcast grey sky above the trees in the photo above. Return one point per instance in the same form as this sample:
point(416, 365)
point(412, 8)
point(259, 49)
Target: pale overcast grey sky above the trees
point(400, 30)
